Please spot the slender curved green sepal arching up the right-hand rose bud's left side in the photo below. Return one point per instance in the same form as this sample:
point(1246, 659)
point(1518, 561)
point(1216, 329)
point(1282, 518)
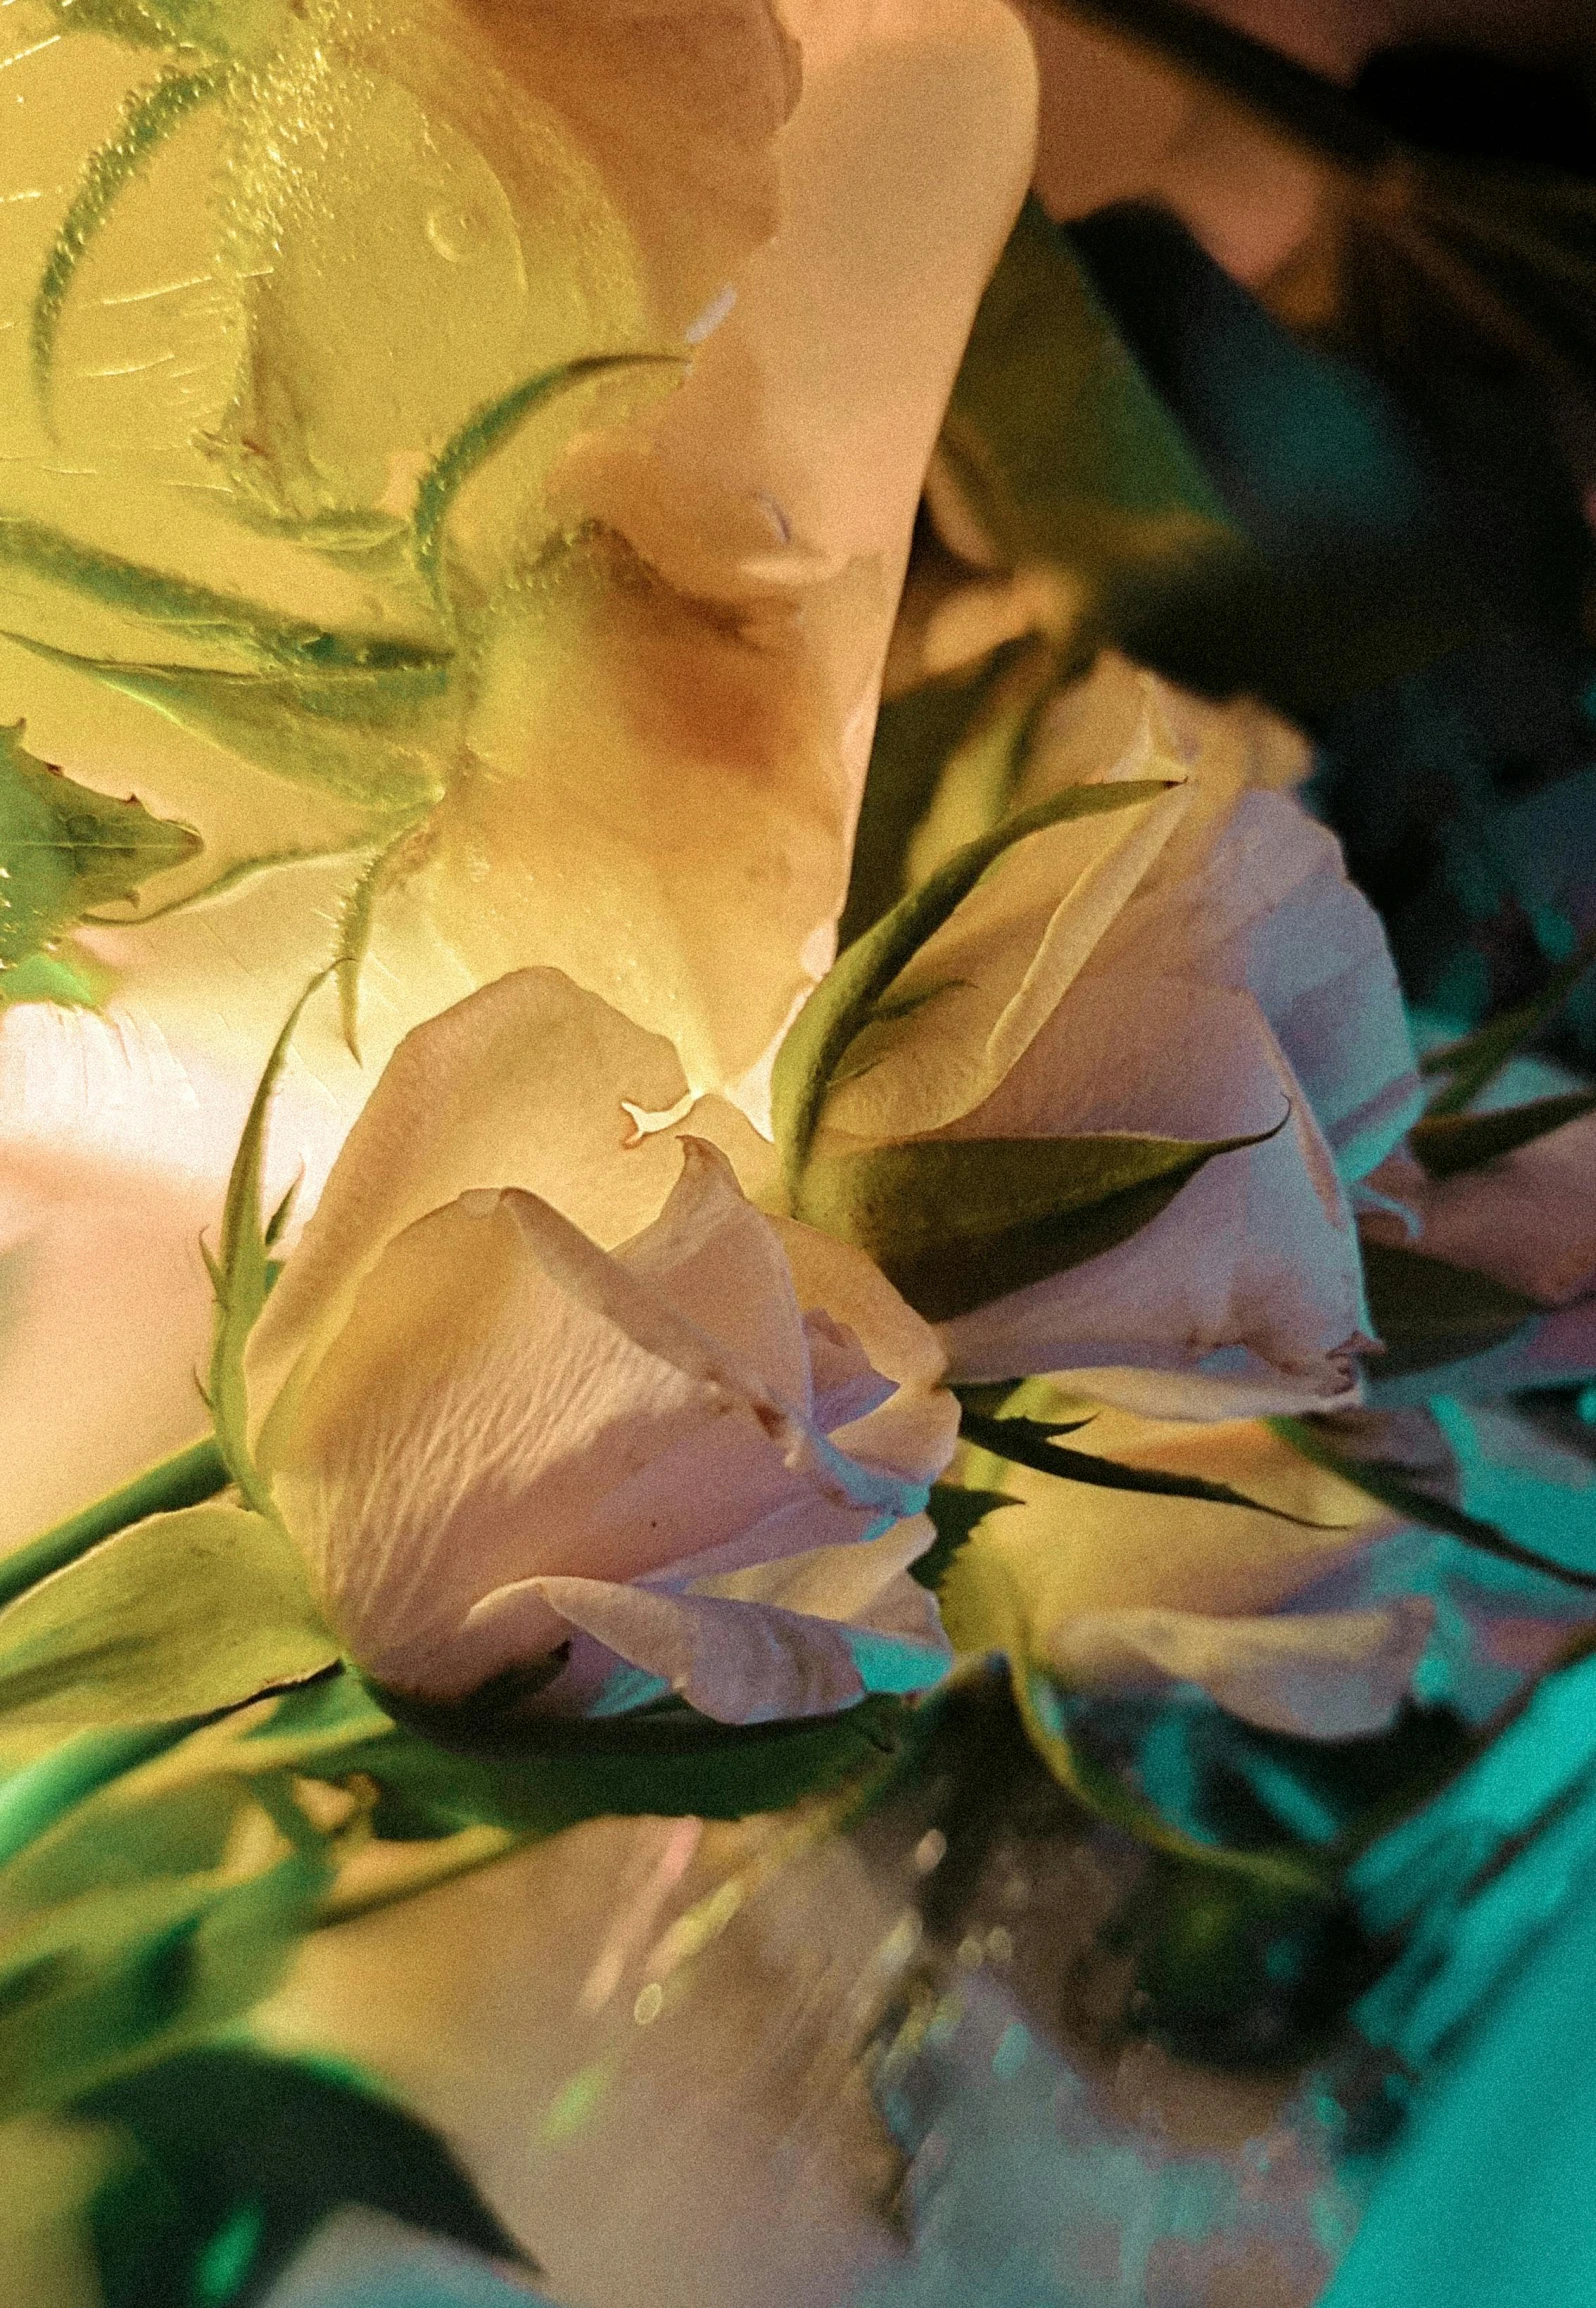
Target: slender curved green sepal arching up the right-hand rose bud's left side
point(843, 1003)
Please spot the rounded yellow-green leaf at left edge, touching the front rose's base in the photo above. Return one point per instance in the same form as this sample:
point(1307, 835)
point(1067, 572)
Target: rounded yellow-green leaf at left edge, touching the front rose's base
point(183, 1614)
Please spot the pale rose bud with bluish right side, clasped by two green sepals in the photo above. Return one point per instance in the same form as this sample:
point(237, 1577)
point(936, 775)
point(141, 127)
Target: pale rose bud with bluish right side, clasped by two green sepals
point(1187, 971)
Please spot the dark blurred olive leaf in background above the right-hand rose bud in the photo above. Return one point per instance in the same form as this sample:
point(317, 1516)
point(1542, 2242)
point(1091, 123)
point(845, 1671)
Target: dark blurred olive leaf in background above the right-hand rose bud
point(1062, 449)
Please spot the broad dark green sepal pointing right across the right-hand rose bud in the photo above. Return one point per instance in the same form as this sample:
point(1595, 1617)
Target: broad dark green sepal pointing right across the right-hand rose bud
point(961, 1222)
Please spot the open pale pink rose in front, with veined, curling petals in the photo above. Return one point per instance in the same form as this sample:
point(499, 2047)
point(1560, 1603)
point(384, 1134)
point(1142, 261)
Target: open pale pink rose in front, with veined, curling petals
point(700, 1455)
